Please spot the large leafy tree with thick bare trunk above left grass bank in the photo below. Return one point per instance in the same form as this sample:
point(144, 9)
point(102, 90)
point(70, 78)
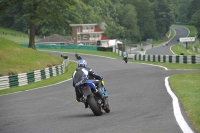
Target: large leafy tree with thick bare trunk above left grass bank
point(39, 11)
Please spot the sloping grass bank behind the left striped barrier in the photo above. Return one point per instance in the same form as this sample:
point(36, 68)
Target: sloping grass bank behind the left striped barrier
point(16, 59)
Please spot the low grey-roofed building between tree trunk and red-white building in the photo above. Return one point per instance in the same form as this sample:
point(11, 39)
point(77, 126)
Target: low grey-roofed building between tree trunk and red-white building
point(55, 38)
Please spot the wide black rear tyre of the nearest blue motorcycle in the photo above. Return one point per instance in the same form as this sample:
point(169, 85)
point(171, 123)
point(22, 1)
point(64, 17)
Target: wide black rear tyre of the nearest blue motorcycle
point(93, 105)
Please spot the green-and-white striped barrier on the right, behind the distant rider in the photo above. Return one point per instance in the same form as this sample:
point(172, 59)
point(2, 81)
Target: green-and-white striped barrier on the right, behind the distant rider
point(164, 58)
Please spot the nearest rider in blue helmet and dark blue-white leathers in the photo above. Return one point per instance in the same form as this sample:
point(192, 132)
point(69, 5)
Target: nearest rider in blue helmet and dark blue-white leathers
point(84, 73)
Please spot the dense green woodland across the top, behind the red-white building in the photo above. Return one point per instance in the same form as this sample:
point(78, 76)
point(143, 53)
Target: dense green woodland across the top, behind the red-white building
point(135, 20)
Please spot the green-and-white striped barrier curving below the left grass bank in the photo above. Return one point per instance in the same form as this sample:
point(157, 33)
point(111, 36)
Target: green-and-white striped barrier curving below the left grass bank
point(30, 77)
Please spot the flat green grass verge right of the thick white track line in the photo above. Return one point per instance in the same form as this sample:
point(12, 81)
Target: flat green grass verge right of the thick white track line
point(187, 89)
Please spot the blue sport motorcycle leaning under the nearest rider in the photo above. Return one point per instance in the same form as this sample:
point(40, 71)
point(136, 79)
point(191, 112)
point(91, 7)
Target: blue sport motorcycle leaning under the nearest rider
point(94, 102)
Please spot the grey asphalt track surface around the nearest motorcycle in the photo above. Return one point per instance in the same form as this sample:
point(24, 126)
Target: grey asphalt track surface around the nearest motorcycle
point(138, 99)
